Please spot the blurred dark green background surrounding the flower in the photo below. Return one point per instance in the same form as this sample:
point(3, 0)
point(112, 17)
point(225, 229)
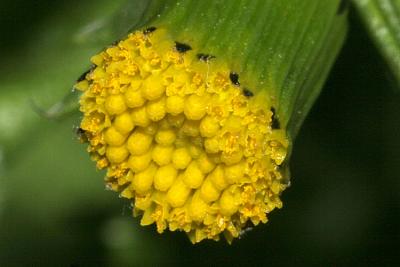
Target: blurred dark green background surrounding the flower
point(343, 207)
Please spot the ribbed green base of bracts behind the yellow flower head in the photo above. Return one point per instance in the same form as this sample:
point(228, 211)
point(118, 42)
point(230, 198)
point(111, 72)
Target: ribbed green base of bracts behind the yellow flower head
point(285, 48)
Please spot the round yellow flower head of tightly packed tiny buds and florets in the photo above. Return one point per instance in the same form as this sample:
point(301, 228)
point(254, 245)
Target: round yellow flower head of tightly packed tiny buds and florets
point(181, 138)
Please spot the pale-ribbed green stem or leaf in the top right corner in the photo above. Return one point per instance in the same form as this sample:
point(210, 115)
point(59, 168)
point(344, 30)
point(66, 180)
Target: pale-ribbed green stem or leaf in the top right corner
point(382, 18)
